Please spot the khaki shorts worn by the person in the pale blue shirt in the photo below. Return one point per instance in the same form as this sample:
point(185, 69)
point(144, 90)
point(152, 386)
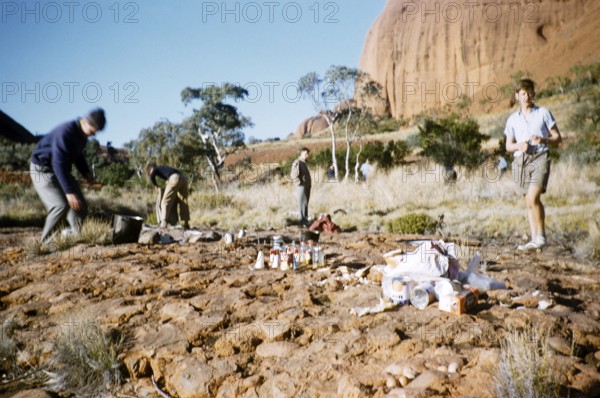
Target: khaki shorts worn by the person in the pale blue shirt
point(534, 171)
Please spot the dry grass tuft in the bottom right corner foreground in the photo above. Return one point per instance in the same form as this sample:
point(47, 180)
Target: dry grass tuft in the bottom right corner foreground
point(527, 368)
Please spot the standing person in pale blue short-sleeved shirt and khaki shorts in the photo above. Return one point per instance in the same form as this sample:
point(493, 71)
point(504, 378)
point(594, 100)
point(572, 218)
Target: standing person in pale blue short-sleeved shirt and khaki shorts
point(529, 132)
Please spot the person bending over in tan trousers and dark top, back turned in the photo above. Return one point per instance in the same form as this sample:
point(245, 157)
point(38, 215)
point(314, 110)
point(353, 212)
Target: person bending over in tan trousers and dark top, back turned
point(175, 194)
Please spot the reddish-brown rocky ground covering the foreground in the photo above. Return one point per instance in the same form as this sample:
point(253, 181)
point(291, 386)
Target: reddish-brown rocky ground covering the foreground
point(204, 323)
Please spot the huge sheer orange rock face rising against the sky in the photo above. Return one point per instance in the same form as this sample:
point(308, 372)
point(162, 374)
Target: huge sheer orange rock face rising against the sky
point(430, 53)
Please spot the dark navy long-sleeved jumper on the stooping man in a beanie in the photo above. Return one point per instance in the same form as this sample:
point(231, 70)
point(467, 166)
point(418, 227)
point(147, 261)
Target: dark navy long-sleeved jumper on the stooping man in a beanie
point(59, 150)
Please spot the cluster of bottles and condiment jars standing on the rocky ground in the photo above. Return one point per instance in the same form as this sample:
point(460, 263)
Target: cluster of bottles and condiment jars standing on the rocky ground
point(295, 256)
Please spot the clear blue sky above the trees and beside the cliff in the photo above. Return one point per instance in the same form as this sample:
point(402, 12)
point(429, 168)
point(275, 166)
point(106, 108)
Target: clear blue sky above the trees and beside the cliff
point(61, 59)
